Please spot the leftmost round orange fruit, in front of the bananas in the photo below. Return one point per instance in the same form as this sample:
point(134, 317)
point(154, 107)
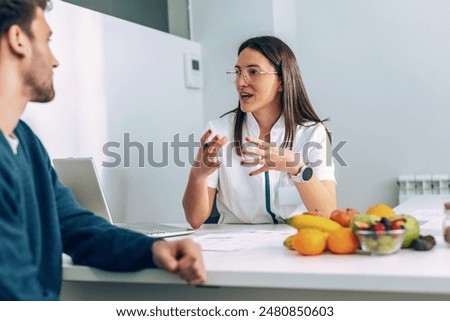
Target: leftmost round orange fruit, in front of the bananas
point(310, 241)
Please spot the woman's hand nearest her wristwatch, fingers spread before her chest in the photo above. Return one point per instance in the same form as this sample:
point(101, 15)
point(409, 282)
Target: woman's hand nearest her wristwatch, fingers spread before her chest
point(271, 157)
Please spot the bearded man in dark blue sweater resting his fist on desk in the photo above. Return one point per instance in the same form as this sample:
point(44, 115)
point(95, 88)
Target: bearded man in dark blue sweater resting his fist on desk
point(39, 217)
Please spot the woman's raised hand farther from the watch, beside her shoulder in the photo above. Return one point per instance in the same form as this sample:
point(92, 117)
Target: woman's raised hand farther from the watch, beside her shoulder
point(207, 160)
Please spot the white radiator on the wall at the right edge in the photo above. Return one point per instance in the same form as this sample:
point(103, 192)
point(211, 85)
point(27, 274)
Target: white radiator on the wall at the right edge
point(410, 185)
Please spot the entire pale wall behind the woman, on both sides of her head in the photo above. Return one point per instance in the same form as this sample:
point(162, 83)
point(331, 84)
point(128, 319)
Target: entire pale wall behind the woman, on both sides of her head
point(379, 69)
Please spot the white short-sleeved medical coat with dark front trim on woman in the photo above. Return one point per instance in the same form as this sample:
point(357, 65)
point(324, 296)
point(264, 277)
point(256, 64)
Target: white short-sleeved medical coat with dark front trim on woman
point(269, 197)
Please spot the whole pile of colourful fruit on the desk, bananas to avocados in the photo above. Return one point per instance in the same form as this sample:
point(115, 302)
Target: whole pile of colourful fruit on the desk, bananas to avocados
point(316, 234)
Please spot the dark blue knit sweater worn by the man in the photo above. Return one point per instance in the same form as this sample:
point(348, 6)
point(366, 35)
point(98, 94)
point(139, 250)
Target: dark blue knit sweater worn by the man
point(40, 219)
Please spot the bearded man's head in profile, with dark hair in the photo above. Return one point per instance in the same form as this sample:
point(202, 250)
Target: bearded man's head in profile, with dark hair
point(25, 35)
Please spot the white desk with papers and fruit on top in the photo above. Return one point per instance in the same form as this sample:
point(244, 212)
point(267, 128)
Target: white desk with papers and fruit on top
point(275, 273)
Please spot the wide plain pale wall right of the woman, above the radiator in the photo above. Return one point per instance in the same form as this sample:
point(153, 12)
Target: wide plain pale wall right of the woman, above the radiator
point(381, 71)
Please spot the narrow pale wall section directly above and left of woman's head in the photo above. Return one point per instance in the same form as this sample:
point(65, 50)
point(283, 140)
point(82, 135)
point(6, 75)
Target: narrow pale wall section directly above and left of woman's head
point(220, 27)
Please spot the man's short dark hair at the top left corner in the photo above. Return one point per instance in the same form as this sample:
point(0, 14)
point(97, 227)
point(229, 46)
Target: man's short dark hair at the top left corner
point(19, 12)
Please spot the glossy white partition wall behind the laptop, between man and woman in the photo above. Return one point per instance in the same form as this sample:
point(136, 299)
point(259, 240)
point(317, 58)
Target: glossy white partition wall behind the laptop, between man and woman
point(117, 77)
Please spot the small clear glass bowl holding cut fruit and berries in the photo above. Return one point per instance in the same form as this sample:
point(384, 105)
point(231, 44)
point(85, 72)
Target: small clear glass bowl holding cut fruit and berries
point(381, 242)
